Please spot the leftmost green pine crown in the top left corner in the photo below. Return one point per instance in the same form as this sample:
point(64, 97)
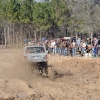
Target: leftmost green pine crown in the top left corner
point(11, 10)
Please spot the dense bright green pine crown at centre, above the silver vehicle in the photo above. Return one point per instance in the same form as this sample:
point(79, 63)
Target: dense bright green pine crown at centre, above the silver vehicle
point(42, 15)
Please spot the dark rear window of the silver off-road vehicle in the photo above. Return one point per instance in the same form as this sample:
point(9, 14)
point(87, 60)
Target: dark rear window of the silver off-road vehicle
point(35, 50)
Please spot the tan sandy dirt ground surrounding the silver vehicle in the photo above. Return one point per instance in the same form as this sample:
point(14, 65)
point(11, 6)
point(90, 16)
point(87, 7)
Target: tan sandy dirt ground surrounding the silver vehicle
point(76, 78)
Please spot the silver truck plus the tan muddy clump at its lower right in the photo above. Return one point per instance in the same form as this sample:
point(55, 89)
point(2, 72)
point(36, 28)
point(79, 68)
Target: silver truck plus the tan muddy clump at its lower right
point(38, 55)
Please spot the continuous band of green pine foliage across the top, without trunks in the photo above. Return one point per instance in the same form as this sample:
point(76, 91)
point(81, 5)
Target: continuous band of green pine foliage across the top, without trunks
point(41, 15)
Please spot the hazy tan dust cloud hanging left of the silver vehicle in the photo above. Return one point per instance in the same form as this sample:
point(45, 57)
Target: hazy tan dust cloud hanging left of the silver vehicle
point(15, 66)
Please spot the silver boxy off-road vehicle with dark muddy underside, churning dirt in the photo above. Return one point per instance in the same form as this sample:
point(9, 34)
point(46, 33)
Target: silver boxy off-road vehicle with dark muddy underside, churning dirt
point(38, 55)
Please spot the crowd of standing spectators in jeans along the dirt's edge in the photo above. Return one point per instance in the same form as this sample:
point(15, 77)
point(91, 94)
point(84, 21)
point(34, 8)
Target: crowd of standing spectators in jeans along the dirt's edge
point(71, 47)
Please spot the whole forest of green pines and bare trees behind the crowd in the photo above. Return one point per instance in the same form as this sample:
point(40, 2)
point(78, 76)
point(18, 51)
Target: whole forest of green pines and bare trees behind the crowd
point(22, 20)
